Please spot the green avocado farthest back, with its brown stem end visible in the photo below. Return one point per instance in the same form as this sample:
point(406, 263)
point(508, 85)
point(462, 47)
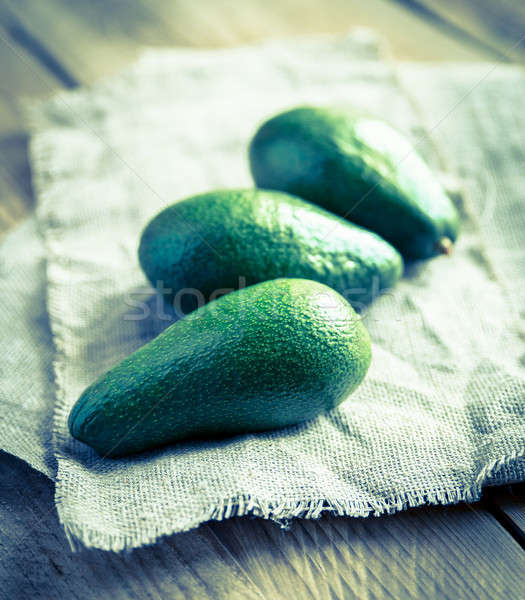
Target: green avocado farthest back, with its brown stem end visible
point(357, 167)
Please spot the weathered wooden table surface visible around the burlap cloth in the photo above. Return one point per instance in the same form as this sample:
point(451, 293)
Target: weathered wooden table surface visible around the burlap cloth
point(465, 551)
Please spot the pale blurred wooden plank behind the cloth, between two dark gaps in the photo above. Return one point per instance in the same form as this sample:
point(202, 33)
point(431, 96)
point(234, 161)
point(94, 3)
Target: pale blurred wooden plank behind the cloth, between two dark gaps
point(92, 40)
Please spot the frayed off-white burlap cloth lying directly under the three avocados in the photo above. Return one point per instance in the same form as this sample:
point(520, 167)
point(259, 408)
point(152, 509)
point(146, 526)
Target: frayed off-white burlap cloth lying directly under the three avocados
point(440, 413)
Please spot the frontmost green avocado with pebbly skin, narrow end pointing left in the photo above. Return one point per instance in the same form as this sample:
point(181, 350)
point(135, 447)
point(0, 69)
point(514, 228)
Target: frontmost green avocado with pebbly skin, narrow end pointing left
point(271, 355)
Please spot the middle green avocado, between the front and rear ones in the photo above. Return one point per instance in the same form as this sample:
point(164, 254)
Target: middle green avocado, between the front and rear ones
point(207, 242)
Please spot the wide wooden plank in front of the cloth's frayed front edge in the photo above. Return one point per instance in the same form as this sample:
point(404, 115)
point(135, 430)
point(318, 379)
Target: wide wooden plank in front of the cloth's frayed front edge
point(455, 552)
